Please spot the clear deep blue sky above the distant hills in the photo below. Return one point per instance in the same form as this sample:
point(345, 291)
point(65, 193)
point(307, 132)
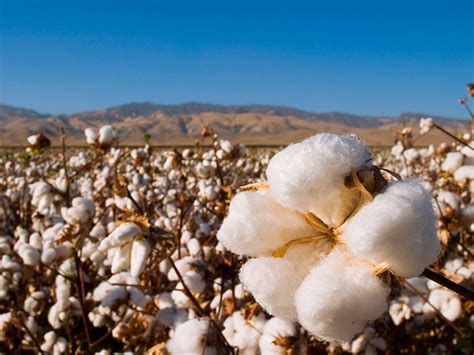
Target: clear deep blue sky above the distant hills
point(364, 57)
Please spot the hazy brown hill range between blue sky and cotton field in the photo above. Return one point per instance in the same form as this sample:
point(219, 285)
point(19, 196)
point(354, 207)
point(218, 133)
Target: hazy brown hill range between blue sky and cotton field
point(181, 124)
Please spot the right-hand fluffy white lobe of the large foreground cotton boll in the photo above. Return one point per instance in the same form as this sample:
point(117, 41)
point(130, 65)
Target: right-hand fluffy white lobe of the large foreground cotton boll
point(397, 229)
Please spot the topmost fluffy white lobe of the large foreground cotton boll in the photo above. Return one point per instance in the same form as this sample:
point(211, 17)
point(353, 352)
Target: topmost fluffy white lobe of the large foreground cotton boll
point(309, 176)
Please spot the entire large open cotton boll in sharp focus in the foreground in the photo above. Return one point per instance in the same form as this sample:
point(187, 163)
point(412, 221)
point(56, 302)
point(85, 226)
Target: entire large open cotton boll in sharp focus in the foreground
point(320, 237)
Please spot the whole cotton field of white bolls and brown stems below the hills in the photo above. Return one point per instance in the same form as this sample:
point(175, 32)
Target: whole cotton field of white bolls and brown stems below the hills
point(323, 246)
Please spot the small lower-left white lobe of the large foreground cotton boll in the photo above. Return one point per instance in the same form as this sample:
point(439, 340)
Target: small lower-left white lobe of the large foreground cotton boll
point(272, 282)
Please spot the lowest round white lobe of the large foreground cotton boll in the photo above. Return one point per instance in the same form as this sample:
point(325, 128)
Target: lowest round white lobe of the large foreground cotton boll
point(339, 296)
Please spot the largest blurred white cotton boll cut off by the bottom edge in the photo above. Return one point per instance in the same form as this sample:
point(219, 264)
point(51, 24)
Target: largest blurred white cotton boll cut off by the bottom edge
point(190, 338)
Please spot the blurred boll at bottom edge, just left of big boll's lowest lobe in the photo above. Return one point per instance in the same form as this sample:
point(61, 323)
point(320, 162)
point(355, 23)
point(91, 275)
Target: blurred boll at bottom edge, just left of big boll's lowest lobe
point(274, 330)
